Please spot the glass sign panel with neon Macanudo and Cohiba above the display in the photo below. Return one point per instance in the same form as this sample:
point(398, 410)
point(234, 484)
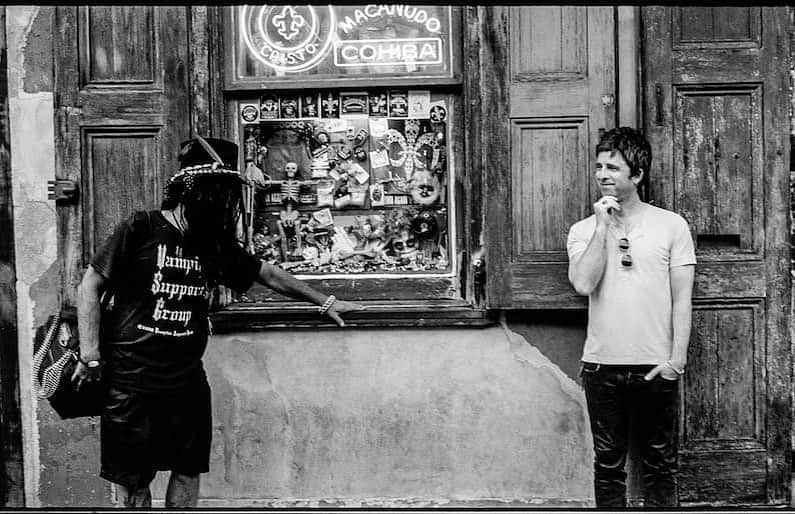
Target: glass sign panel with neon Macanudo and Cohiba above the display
point(300, 38)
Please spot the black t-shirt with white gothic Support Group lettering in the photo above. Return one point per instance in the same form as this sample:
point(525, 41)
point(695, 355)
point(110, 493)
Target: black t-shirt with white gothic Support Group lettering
point(155, 334)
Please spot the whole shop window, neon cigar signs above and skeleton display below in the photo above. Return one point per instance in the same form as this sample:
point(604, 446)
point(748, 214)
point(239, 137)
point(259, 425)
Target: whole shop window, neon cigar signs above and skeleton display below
point(349, 118)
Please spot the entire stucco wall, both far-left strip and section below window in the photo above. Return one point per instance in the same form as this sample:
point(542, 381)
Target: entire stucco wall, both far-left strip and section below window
point(349, 417)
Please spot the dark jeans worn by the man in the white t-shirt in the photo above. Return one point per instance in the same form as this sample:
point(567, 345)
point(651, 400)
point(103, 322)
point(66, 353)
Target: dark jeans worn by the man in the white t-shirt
point(612, 393)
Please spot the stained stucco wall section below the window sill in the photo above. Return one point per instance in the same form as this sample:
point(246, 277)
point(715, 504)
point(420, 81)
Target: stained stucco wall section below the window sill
point(393, 417)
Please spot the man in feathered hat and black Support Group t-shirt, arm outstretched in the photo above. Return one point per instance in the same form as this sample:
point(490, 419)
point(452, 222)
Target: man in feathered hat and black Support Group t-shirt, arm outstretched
point(160, 267)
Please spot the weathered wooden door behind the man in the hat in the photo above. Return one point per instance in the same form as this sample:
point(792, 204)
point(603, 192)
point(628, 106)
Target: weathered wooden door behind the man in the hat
point(122, 108)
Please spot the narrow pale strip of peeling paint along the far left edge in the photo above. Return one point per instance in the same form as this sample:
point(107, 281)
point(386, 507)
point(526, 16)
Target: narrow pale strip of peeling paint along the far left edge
point(32, 164)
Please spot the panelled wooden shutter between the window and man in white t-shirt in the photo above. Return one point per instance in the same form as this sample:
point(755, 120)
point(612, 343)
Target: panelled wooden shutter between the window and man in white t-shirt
point(549, 88)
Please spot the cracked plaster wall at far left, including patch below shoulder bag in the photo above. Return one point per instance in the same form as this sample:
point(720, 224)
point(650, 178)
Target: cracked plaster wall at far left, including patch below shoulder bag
point(58, 455)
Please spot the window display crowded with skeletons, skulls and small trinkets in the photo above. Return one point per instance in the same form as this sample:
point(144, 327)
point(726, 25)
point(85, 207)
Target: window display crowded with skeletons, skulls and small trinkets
point(349, 182)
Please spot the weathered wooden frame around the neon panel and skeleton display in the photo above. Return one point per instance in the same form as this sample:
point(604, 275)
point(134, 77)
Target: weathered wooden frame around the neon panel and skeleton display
point(394, 301)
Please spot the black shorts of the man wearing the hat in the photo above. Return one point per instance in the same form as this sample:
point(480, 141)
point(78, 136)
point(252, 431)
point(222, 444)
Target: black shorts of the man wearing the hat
point(142, 433)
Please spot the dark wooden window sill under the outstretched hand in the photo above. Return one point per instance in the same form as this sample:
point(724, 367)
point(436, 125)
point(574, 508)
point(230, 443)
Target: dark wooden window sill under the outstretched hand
point(446, 313)
